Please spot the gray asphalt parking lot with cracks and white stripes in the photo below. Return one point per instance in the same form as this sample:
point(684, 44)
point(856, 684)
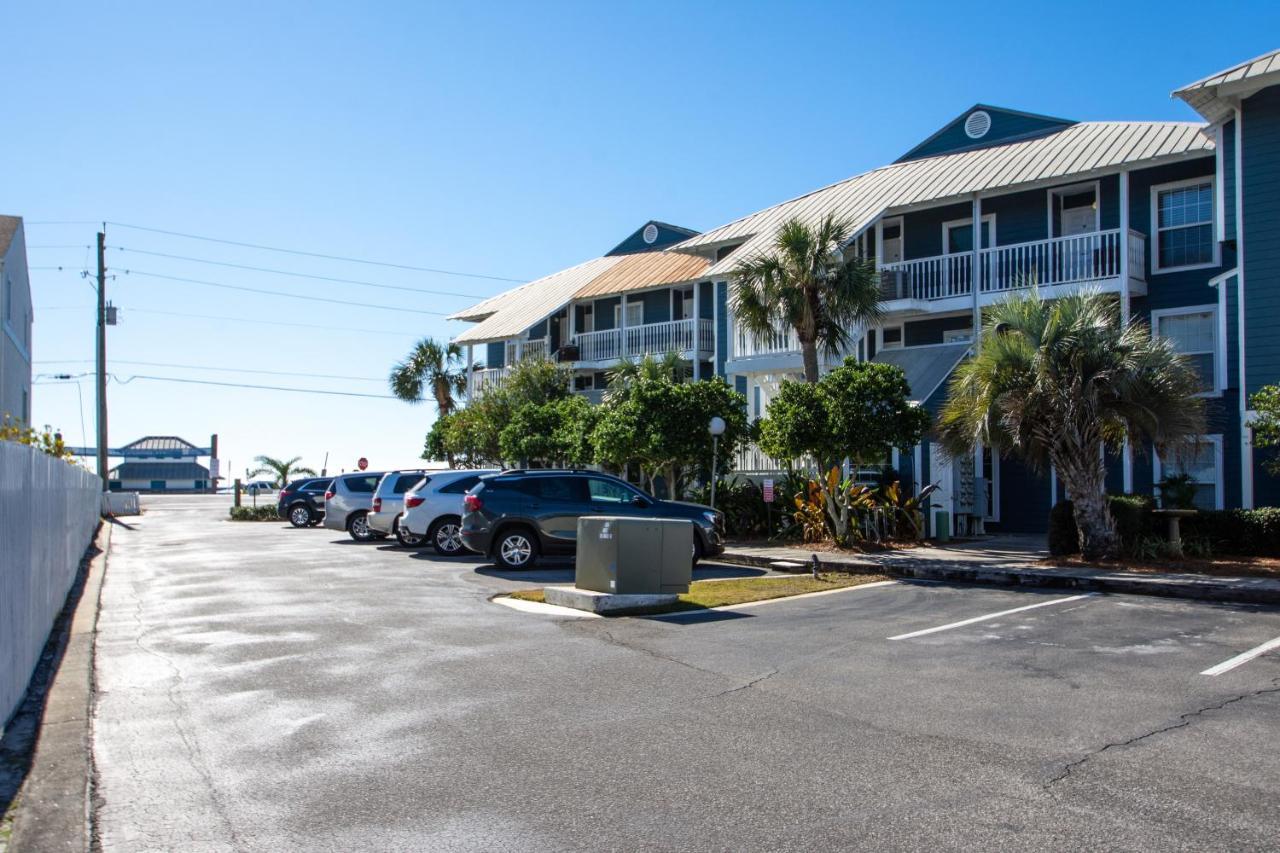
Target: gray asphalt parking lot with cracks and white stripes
point(266, 688)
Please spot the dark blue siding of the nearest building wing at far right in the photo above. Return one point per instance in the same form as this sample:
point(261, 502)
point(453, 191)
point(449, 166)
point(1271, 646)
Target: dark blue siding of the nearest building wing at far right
point(1260, 139)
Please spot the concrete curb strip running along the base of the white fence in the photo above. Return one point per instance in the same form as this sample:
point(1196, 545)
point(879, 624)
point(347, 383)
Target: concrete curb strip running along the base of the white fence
point(54, 813)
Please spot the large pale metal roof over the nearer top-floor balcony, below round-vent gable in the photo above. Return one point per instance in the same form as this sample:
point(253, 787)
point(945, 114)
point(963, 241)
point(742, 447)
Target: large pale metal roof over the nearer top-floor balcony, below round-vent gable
point(1075, 152)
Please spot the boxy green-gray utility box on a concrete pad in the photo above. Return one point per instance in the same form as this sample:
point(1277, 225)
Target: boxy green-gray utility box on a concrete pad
point(634, 556)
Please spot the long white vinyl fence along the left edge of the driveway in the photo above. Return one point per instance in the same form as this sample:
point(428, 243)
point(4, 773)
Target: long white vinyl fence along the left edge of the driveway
point(49, 510)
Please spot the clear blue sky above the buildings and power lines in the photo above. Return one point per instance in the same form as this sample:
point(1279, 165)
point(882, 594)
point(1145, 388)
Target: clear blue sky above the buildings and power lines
point(506, 140)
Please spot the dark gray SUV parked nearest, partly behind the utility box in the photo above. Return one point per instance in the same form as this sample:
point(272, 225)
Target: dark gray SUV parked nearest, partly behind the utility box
point(516, 517)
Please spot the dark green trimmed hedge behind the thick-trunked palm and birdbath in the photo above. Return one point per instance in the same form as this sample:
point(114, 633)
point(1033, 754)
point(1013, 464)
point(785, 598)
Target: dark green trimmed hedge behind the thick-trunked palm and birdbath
point(1255, 533)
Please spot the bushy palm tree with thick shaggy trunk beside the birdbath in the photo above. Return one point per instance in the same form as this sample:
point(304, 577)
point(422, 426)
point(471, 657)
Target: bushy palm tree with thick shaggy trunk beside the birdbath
point(1058, 382)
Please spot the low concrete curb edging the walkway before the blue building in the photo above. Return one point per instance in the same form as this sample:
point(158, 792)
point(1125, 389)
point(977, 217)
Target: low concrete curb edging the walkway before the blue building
point(1242, 591)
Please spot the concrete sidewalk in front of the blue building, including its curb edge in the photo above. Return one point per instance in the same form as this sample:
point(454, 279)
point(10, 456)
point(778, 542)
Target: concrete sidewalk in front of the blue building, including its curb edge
point(1011, 560)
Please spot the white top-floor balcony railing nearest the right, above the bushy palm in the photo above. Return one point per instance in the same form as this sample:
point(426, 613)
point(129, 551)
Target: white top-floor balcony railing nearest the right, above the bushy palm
point(1063, 261)
